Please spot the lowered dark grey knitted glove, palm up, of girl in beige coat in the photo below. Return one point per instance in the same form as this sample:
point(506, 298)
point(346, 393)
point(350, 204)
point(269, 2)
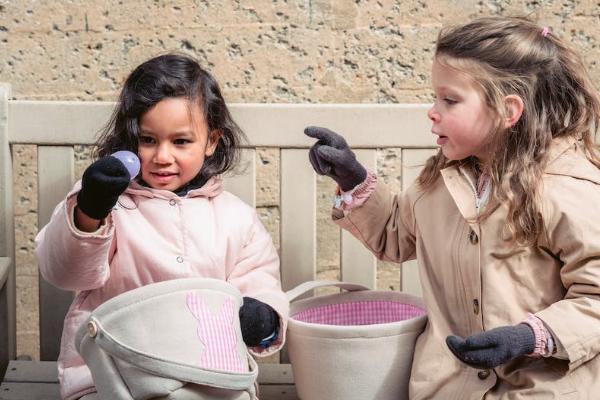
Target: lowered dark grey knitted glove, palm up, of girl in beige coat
point(494, 347)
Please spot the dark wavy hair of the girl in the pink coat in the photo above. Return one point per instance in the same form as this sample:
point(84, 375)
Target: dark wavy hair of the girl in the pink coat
point(166, 76)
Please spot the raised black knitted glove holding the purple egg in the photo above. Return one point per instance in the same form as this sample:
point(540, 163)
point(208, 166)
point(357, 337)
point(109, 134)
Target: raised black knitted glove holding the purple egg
point(102, 183)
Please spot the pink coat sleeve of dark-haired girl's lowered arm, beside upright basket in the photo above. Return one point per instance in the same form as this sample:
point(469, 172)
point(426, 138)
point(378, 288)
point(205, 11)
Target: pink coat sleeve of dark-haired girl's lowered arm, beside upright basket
point(256, 275)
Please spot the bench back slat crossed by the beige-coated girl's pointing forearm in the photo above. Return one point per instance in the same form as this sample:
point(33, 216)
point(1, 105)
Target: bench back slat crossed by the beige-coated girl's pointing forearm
point(358, 265)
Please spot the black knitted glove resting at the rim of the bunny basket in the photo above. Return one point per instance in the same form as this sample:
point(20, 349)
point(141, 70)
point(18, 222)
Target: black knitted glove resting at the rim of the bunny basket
point(257, 320)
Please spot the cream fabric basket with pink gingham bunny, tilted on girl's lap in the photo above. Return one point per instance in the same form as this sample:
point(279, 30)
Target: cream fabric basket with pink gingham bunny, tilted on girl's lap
point(178, 340)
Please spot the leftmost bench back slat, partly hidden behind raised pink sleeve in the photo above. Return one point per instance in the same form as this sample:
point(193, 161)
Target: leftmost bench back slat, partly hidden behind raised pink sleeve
point(55, 179)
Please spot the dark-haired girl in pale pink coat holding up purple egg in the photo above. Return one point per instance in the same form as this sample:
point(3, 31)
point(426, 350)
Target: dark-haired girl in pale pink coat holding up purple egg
point(112, 234)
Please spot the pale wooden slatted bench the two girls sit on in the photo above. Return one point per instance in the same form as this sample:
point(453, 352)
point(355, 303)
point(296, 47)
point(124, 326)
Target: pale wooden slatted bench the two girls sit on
point(56, 126)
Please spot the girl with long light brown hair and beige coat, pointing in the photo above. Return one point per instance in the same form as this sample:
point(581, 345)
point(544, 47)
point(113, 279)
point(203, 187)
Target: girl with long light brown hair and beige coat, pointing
point(503, 221)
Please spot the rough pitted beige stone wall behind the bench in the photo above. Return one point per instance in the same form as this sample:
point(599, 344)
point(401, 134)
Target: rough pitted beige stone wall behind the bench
point(277, 51)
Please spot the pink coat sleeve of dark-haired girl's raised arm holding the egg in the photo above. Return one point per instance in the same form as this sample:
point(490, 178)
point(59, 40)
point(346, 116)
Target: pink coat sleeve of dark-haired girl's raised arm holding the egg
point(69, 258)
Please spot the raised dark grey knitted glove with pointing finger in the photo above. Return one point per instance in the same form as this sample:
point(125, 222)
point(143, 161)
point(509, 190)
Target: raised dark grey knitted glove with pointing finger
point(331, 156)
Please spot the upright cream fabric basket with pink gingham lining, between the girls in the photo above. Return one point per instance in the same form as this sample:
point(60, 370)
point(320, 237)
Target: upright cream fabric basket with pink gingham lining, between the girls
point(357, 344)
